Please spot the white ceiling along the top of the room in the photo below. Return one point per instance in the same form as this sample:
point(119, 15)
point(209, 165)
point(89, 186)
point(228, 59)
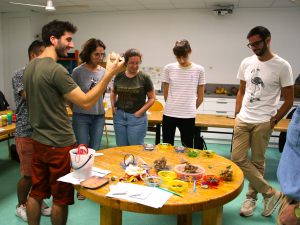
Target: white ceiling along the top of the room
point(127, 5)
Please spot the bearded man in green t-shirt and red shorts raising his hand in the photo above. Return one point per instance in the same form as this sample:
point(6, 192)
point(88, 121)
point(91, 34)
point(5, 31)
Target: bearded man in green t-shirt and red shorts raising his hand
point(47, 84)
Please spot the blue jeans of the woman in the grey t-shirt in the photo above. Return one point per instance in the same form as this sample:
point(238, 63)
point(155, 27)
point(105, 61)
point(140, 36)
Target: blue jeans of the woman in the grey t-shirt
point(85, 126)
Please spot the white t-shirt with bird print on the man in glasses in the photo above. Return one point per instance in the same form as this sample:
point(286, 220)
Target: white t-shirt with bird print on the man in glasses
point(264, 81)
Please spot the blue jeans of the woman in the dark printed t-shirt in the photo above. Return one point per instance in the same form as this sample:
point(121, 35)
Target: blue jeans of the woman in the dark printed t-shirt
point(129, 129)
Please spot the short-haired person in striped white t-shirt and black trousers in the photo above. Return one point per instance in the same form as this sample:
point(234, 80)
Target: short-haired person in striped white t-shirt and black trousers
point(183, 93)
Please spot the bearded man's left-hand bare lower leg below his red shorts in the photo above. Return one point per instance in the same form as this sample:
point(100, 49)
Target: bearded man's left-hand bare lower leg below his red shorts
point(34, 211)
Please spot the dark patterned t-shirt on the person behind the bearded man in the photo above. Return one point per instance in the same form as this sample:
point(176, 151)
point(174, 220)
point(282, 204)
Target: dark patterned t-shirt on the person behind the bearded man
point(23, 128)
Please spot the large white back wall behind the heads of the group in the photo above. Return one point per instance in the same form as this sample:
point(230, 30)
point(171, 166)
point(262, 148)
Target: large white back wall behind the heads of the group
point(219, 43)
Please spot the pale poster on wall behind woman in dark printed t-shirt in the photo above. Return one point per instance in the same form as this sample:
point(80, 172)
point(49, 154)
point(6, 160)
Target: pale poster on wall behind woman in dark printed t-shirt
point(155, 74)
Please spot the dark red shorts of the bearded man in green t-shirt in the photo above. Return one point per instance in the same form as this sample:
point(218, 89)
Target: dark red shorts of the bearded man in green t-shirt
point(49, 164)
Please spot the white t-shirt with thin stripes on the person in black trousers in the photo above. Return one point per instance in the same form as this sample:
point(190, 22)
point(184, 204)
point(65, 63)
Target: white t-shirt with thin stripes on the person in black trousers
point(183, 87)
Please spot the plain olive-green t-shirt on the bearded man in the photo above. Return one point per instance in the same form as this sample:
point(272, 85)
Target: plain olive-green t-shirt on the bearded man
point(45, 83)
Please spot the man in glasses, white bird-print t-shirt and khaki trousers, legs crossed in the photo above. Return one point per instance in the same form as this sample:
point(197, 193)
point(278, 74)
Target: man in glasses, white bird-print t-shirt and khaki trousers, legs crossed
point(262, 78)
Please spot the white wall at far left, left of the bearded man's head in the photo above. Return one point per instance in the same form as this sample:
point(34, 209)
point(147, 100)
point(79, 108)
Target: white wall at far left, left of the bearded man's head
point(19, 30)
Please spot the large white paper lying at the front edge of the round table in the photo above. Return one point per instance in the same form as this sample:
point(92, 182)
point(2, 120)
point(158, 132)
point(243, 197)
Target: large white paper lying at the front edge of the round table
point(155, 199)
